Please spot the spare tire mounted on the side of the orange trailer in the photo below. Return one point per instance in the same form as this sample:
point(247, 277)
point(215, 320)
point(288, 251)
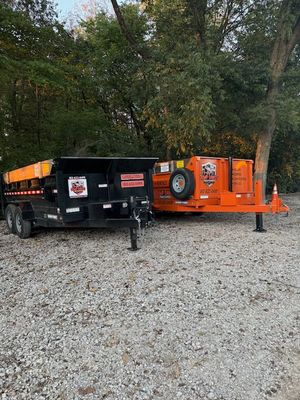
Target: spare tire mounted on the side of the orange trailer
point(182, 183)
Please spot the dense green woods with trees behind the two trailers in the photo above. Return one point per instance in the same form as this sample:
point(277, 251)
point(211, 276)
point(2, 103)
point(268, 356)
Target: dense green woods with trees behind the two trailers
point(161, 78)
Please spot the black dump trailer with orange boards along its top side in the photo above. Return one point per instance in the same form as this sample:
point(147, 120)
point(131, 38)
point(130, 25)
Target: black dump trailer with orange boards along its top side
point(79, 192)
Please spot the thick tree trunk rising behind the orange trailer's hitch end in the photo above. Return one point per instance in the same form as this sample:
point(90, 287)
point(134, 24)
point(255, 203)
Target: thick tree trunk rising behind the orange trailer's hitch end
point(287, 37)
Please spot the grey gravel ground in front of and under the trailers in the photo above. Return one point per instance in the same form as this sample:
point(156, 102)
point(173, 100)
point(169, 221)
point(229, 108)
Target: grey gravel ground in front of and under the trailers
point(208, 309)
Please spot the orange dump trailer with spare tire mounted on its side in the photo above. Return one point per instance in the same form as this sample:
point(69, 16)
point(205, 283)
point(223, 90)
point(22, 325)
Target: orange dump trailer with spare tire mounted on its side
point(211, 184)
